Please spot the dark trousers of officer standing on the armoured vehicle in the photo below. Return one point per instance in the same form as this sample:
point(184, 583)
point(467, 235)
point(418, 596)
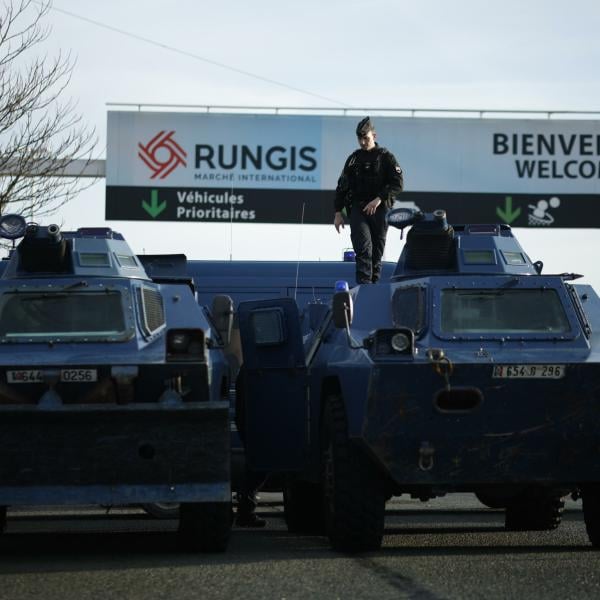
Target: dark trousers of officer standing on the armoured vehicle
point(368, 240)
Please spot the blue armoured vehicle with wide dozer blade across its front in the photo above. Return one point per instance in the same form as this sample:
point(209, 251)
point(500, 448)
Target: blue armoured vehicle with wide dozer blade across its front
point(113, 384)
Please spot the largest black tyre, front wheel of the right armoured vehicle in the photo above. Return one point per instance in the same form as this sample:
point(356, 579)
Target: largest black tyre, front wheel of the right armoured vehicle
point(353, 492)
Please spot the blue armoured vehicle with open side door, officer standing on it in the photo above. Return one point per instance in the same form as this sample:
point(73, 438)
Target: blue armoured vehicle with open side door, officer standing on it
point(468, 371)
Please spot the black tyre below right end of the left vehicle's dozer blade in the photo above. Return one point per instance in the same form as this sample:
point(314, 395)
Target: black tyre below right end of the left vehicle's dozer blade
point(205, 527)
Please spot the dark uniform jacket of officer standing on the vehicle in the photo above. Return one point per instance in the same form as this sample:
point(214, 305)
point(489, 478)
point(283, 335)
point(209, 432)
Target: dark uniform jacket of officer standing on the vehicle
point(366, 175)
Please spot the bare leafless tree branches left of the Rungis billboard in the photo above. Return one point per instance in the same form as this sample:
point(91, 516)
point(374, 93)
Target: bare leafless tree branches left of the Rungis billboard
point(40, 136)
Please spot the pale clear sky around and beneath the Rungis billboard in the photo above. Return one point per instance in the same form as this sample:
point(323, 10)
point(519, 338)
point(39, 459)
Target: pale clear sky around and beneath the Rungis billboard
point(509, 54)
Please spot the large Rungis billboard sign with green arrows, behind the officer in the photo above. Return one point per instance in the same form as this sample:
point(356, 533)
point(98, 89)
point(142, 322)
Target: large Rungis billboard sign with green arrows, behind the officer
point(249, 168)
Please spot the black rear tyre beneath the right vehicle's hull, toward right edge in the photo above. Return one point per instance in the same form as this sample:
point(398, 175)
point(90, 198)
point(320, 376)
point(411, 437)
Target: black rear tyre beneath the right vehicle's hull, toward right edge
point(534, 512)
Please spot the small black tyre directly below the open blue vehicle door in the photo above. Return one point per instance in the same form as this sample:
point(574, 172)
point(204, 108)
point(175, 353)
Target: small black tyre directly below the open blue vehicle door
point(303, 508)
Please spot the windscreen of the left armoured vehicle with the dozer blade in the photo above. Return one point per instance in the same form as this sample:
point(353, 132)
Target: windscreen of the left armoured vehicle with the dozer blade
point(41, 315)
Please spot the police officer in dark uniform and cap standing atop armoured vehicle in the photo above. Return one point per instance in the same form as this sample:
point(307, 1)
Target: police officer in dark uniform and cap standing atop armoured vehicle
point(366, 188)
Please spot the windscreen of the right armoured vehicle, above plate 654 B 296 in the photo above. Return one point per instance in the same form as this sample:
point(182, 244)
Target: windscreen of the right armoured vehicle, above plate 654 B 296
point(503, 311)
